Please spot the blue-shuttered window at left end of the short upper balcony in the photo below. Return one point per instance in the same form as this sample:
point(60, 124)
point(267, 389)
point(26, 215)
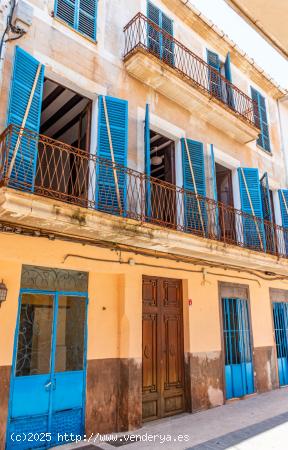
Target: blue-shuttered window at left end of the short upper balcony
point(159, 43)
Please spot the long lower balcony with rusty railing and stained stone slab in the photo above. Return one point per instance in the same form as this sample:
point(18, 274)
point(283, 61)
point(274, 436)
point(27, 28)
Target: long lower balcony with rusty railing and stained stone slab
point(66, 175)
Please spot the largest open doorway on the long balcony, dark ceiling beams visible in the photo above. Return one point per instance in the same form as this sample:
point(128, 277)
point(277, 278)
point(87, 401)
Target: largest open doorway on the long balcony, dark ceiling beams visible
point(62, 170)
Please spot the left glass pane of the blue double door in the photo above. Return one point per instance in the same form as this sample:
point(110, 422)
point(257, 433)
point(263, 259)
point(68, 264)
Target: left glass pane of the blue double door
point(35, 331)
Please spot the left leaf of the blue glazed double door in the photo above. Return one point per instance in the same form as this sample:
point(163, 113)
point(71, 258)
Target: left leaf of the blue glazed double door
point(33, 357)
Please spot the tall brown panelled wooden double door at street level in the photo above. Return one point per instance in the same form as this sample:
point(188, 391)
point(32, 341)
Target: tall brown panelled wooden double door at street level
point(163, 350)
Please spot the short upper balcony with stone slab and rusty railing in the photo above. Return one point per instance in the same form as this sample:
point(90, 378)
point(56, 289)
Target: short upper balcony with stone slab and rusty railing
point(157, 59)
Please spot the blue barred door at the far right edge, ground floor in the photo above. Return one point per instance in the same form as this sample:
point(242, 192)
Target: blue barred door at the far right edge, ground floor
point(280, 315)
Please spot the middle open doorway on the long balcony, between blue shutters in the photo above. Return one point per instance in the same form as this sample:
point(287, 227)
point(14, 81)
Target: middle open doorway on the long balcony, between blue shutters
point(162, 169)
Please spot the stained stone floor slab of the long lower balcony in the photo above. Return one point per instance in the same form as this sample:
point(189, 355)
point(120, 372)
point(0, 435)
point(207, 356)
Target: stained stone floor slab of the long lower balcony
point(26, 209)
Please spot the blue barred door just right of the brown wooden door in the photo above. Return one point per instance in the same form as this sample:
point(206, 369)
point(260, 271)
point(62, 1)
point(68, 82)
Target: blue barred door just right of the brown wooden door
point(239, 377)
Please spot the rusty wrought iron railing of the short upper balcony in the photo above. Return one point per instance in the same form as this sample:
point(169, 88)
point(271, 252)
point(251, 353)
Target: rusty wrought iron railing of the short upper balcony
point(141, 34)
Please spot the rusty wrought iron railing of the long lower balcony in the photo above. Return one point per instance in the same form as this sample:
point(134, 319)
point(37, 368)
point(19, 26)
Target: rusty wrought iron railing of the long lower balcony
point(35, 163)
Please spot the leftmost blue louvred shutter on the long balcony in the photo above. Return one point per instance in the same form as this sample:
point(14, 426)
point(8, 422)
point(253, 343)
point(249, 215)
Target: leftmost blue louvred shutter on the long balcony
point(24, 72)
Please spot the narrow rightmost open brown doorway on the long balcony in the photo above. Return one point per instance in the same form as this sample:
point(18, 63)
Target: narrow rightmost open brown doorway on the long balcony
point(225, 196)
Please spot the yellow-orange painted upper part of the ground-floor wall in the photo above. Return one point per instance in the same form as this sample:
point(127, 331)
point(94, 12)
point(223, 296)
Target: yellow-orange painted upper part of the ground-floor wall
point(115, 297)
